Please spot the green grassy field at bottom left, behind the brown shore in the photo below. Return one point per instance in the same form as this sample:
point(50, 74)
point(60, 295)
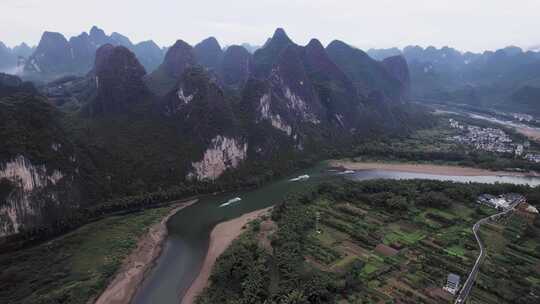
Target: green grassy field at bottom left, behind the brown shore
point(75, 267)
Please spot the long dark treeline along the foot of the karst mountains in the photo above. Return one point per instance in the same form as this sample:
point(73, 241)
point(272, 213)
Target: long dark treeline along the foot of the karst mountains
point(248, 176)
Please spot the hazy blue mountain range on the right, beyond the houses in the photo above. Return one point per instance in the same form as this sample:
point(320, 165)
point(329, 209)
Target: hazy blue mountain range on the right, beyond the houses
point(508, 78)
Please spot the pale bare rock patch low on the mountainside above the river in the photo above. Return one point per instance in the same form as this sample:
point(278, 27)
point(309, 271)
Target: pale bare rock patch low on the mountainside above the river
point(222, 154)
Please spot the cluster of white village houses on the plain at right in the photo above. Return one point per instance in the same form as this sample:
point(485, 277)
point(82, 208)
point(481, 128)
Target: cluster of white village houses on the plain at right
point(491, 140)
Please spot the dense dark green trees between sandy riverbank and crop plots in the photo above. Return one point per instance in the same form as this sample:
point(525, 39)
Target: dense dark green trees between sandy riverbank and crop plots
point(248, 274)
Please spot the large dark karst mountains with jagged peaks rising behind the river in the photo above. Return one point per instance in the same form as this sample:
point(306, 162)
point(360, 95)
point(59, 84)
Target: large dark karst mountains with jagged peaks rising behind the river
point(204, 119)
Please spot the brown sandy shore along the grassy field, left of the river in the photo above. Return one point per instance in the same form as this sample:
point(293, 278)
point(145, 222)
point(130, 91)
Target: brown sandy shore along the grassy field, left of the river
point(139, 262)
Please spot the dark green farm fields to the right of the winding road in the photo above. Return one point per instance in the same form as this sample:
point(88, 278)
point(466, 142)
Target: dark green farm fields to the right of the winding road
point(511, 271)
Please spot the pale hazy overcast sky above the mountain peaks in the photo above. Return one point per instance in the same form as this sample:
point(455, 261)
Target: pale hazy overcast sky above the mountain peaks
point(465, 24)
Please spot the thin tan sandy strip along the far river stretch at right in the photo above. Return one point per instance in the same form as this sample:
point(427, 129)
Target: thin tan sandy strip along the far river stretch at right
point(422, 168)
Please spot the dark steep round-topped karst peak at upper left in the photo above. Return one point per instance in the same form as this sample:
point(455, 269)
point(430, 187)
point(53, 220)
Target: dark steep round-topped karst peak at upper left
point(118, 80)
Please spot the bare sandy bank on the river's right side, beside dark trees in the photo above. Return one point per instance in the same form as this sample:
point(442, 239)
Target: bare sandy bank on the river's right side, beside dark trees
point(221, 238)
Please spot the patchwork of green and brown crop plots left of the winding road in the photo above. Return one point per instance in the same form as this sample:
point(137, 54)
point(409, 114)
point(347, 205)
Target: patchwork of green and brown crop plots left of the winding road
point(405, 256)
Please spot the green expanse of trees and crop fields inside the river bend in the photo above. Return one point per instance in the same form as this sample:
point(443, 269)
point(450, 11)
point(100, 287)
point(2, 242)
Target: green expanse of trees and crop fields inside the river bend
point(375, 242)
